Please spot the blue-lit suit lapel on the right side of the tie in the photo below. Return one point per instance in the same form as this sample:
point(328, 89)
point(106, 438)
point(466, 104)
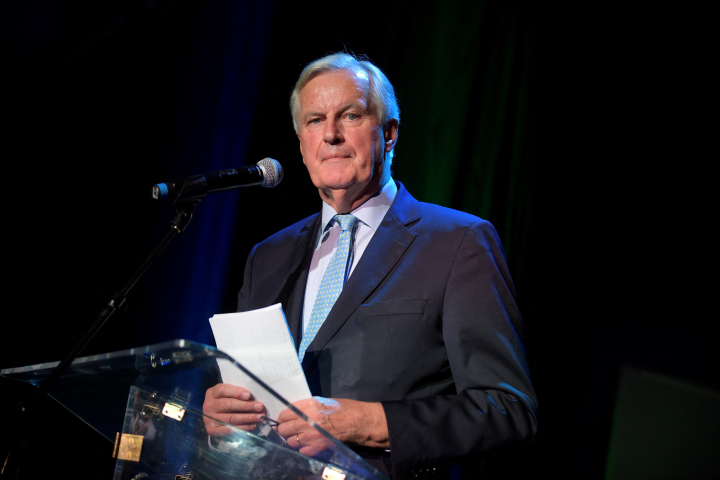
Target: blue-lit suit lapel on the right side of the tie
point(387, 246)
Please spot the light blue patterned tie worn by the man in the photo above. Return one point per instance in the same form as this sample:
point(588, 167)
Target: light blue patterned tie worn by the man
point(332, 282)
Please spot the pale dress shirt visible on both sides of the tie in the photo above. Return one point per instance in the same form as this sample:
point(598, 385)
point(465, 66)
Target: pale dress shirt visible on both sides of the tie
point(369, 215)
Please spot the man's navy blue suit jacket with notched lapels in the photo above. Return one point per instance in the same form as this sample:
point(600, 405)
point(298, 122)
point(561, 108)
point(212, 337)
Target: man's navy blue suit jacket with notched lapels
point(427, 324)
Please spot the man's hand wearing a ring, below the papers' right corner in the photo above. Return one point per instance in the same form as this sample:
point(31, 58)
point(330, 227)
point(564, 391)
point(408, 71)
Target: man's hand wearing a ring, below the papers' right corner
point(349, 421)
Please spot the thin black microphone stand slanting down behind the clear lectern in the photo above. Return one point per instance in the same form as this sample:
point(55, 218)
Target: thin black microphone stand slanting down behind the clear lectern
point(14, 458)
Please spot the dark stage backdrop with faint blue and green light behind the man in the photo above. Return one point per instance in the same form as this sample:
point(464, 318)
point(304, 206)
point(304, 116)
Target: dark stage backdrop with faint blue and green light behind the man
point(578, 130)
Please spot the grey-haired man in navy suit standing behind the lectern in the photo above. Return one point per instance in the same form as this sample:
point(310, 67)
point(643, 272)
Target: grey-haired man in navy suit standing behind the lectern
point(403, 313)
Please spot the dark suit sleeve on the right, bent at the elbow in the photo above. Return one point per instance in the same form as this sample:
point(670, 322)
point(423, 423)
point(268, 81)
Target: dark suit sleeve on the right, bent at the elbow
point(495, 404)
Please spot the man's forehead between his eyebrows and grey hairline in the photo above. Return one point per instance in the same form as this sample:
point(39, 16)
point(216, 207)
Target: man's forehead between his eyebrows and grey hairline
point(335, 87)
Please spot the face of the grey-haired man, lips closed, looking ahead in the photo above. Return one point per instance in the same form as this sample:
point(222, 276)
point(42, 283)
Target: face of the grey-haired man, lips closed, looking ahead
point(342, 145)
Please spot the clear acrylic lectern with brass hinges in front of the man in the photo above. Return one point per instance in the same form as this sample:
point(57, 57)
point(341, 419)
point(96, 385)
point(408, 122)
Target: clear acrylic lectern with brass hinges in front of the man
point(147, 401)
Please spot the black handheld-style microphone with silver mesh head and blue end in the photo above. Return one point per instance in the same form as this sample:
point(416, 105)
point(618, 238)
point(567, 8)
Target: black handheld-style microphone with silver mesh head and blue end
point(267, 173)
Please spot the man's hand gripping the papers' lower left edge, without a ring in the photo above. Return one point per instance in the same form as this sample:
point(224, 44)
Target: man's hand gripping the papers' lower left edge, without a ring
point(233, 405)
